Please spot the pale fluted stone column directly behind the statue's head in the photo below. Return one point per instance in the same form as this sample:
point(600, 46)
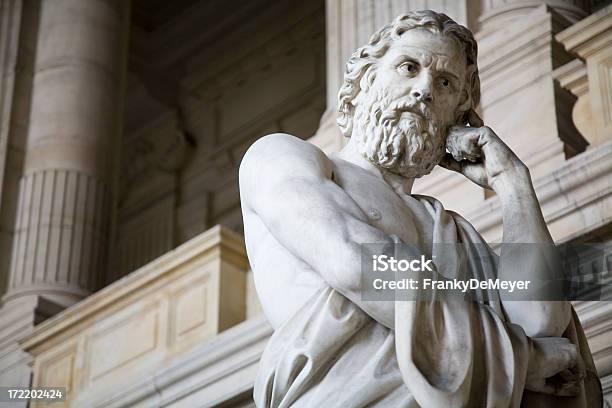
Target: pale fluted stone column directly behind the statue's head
point(349, 25)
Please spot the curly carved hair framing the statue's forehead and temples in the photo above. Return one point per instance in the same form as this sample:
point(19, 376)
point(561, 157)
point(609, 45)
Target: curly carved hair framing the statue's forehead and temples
point(360, 68)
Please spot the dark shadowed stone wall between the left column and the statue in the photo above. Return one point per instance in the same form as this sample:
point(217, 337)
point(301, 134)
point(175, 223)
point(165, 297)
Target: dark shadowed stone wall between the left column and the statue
point(180, 162)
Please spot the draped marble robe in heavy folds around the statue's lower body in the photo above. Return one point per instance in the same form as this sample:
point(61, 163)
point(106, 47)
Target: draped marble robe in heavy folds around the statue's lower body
point(443, 352)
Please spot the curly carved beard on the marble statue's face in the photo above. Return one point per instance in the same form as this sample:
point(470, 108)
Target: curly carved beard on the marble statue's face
point(400, 136)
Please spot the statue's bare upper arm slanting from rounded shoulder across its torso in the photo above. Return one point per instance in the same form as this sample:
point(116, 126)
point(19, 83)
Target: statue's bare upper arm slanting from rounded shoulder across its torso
point(288, 184)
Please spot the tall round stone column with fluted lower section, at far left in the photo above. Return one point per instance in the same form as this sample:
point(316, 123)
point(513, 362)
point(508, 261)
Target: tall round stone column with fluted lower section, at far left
point(62, 227)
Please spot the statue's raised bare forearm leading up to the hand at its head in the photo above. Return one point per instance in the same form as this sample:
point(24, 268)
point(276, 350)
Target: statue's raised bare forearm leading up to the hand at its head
point(529, 254)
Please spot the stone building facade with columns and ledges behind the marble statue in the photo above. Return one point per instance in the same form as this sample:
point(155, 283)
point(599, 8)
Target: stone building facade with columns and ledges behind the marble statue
point(123, 272)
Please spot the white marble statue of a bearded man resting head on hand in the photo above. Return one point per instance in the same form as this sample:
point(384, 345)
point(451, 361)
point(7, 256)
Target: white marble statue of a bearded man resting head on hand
point(407, 104)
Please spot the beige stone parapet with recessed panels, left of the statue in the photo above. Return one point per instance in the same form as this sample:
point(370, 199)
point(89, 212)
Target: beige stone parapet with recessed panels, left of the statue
point(143, 321)
